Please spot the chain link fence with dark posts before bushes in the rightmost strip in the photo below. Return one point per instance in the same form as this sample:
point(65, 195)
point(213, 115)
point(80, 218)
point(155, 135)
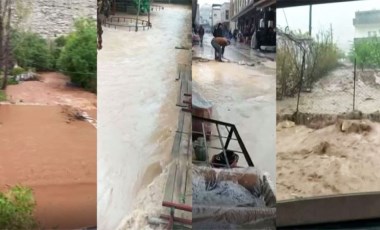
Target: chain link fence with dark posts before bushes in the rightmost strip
point(312, 77)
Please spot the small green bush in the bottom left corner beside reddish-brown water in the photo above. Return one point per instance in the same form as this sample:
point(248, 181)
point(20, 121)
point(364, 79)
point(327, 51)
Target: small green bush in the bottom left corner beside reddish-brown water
point(16, 209)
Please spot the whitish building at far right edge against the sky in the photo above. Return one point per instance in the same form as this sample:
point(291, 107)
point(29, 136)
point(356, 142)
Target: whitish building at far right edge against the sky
point(367, 23)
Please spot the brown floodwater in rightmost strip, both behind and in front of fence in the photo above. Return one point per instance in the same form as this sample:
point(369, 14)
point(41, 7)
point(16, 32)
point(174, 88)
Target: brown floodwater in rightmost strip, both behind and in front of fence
point(326, 161)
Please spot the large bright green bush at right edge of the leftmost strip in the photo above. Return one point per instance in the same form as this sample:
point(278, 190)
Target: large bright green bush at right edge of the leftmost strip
point(78, 57)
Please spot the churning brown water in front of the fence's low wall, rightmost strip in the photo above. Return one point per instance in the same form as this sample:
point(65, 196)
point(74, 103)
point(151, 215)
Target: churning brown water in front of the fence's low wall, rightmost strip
point(326, 161)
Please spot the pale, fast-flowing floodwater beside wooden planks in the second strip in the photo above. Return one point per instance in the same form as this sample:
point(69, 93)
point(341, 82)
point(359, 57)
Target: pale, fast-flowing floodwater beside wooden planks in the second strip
point(137, 88)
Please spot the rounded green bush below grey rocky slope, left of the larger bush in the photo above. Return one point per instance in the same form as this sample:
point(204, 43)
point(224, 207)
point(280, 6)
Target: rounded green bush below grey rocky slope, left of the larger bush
point(31, 50)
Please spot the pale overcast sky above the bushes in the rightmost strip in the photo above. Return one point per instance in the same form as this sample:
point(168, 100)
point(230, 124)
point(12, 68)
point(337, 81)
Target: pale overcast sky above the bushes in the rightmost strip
point(340, 15)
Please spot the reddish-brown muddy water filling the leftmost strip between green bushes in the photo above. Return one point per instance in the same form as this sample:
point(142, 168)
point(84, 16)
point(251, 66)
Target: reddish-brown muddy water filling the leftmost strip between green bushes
point(42, 147)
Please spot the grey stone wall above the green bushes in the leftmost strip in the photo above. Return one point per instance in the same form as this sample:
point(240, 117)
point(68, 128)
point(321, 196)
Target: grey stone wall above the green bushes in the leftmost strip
point(52, 18)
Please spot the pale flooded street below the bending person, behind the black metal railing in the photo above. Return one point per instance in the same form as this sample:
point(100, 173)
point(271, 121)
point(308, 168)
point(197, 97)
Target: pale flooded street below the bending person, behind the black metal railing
point(245, 96)
